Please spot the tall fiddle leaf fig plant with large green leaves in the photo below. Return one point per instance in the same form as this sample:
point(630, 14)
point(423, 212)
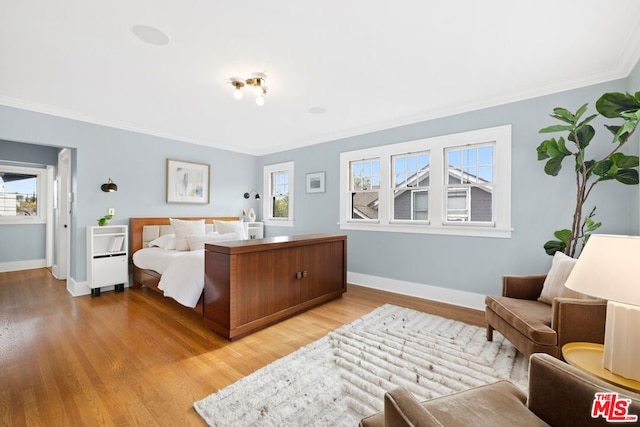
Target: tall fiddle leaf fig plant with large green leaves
point(614, 166)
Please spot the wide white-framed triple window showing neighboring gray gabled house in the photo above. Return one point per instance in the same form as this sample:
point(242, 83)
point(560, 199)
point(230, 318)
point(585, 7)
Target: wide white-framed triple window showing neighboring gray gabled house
point(453, 184)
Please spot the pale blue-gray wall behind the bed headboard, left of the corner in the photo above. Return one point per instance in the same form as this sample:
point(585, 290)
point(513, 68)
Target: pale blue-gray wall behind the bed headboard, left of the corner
point(137, 163)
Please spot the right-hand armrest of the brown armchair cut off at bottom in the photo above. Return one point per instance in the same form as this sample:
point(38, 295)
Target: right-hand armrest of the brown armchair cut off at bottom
point(562, 395)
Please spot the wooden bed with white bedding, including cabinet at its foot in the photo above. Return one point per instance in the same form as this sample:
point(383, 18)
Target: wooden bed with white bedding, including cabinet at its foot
point(242, 284)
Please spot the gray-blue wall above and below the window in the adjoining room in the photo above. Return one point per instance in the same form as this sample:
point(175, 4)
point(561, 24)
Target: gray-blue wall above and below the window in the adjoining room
point(25, 242)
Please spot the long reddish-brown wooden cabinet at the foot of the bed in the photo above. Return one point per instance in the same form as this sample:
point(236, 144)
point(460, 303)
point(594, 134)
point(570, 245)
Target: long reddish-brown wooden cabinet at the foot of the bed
point(251, 284)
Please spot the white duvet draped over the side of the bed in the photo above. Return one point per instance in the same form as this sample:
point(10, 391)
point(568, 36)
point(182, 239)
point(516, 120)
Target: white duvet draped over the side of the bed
point(182, 272)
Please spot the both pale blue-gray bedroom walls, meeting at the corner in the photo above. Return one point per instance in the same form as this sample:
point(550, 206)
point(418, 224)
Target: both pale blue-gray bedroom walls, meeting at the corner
point(539, 203)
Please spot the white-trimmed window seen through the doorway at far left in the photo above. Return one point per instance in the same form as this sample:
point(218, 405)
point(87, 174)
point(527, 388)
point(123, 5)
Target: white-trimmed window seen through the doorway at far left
point(22, 194)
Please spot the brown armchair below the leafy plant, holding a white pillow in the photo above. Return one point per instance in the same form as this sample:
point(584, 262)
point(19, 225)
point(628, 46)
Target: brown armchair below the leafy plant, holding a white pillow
point(536, 327)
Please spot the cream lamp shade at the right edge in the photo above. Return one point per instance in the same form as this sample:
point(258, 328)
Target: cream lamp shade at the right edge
point(608, 268)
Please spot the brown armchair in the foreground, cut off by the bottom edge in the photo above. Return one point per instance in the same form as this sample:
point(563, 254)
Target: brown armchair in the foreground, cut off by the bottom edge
point(559, 395)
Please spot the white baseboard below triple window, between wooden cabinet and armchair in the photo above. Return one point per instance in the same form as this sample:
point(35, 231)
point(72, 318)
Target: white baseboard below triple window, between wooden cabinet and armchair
point(419, 290)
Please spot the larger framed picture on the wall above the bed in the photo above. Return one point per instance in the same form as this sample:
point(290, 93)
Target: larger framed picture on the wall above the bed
point(187, 182)
